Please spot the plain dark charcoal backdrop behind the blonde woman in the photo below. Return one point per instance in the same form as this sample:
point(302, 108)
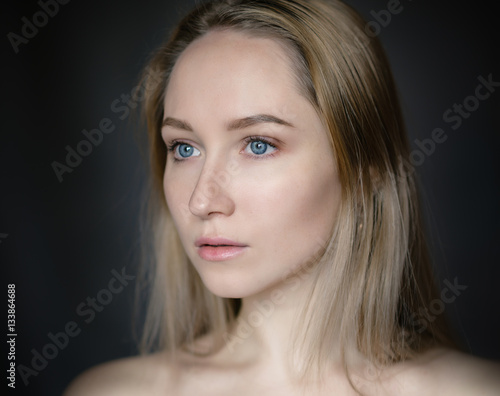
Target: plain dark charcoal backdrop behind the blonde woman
point(65, 238)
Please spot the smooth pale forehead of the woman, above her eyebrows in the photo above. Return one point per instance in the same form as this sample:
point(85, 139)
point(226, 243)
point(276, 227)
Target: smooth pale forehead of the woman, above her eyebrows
point(229, 66)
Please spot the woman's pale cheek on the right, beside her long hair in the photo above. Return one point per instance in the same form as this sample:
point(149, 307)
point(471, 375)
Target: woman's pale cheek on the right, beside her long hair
point(295, 211)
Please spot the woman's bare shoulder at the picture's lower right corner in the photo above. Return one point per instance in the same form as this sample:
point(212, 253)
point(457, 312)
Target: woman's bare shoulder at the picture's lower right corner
point(447, 372)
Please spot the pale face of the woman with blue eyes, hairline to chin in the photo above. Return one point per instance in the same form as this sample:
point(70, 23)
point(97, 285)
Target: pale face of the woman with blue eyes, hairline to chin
point(250, 177)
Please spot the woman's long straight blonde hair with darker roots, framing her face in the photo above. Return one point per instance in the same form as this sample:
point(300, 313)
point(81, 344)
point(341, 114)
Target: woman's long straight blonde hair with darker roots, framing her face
point(374, 274)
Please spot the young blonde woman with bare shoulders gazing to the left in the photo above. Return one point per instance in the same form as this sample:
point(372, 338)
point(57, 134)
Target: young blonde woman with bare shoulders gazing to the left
point(288, 249)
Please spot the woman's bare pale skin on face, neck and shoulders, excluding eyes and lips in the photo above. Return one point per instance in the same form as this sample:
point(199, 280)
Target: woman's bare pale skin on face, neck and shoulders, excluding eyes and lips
point(223, 77)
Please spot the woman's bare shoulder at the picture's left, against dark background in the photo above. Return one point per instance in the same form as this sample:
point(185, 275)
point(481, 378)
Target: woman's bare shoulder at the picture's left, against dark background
point(149, 374)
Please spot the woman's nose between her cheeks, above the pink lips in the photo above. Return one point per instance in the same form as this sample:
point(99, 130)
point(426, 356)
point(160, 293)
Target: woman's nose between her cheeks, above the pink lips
point(210, 196)
